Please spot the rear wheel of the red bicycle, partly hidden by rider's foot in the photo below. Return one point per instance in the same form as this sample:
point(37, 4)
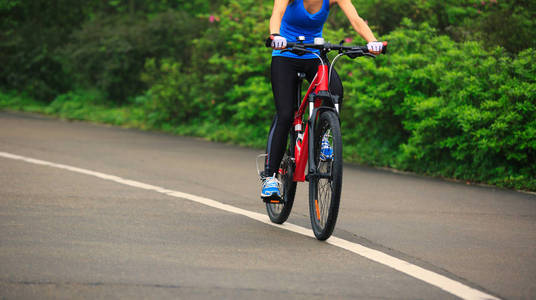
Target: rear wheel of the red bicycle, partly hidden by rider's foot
point(279, 213)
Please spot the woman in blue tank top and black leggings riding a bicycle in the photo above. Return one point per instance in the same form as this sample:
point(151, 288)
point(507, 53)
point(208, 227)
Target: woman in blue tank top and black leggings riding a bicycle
point(291, 19)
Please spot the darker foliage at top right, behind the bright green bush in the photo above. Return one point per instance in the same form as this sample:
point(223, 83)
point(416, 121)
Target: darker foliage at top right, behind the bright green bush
point(510, 24)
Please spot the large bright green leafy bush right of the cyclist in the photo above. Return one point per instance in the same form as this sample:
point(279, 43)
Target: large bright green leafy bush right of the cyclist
point(446, 109)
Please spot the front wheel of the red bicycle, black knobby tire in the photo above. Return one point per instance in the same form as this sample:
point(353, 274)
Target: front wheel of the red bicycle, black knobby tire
point(325, 186)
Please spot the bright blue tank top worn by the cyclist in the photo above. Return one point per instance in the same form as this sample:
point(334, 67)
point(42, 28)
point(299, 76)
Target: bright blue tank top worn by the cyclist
point(297, 21)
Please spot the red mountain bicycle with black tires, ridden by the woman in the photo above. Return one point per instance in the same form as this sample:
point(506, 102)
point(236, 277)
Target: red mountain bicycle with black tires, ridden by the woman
point(321, 125)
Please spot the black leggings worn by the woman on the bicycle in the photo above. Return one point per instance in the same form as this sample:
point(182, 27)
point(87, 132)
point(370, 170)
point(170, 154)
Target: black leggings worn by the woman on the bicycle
point(285, 89)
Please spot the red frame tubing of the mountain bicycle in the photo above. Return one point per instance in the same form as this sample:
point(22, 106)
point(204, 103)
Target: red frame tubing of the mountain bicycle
point(301, 152)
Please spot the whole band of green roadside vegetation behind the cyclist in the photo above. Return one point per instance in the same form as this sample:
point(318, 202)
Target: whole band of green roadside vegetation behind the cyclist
point(455, 97)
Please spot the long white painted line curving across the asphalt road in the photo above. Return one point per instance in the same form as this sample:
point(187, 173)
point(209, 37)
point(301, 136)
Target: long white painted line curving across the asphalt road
point(449, 285)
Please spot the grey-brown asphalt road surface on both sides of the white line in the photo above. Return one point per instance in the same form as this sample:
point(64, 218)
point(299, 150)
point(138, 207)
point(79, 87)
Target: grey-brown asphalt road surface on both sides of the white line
point(67, 235)
